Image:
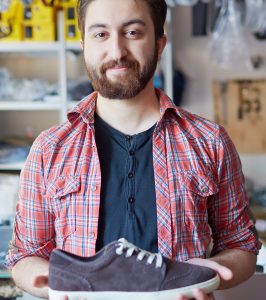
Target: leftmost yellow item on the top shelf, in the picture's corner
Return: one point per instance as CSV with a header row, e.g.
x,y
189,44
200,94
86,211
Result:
x,y
11,22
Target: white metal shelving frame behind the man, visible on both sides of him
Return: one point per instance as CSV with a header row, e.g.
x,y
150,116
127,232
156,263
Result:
x,y
60,48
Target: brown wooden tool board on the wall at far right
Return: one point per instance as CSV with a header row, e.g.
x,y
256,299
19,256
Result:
x,y
240,106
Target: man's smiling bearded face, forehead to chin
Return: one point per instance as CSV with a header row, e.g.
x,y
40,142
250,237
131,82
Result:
x,y
119,45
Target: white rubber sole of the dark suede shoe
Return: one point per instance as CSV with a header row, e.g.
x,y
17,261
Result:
x,y
207,286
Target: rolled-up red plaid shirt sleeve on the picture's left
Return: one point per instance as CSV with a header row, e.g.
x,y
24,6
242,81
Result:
x,y
33,233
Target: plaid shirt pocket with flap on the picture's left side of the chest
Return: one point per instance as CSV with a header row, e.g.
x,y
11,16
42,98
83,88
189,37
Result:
x,y
62,193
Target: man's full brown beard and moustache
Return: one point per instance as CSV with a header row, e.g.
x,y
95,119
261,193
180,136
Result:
x,y
125,86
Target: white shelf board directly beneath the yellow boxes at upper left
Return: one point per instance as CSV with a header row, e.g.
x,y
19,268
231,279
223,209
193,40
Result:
x,y
29,47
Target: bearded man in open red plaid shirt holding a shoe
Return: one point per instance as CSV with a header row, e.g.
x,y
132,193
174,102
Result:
x,y
129,163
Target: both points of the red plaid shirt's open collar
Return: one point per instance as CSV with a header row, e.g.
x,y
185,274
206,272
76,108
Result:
x,y
86,108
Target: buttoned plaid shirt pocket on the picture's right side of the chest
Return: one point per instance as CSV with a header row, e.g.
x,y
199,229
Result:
x,y
197,190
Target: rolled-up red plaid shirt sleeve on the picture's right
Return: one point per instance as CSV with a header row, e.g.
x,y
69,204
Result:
x,y
229,208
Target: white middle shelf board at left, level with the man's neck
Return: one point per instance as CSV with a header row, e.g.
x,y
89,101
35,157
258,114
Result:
x,y
29,106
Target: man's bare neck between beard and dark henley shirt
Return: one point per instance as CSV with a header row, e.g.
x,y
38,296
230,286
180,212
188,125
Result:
x,y
130,116
